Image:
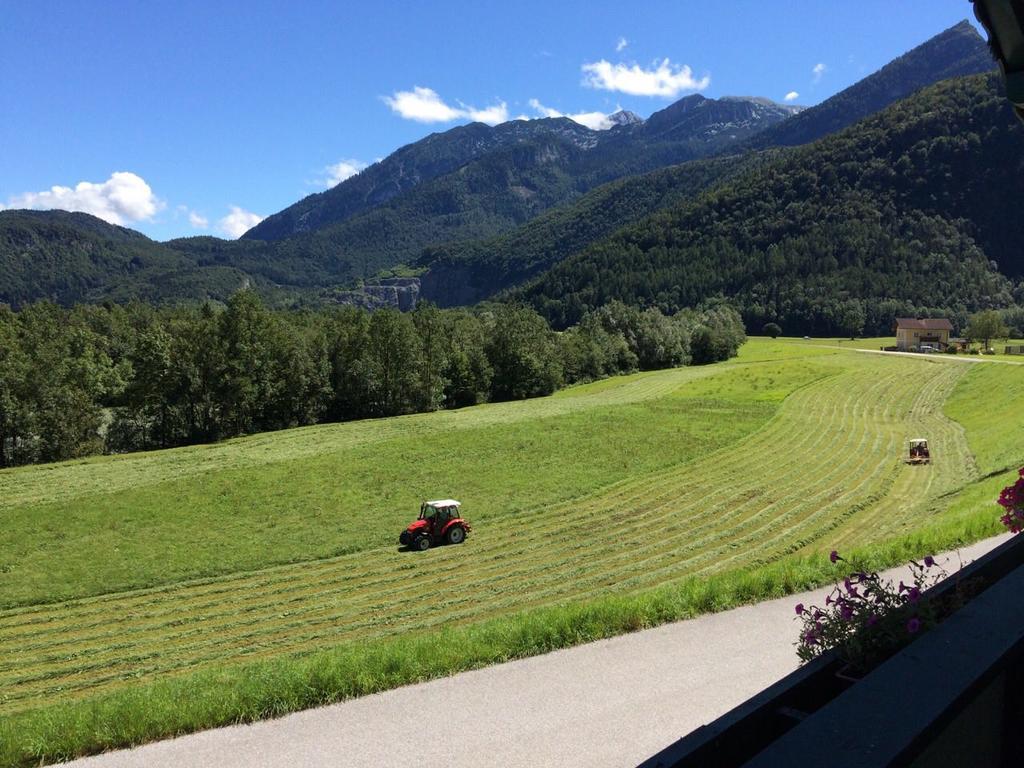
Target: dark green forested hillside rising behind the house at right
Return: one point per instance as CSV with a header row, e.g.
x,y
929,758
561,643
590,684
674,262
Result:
x,y
906,214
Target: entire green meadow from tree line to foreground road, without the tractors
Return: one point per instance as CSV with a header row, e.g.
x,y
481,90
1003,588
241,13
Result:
x,y
180,571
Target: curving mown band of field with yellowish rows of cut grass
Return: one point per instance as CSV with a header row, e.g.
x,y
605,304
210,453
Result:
x,y
833,452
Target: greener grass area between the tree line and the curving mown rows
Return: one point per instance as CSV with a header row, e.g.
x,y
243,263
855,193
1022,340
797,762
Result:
x,y
347,500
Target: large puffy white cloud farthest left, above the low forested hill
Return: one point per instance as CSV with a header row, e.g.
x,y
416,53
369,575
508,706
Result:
x,y
122,199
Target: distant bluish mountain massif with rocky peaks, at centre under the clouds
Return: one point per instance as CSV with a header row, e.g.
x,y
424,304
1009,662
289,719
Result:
x,y
477,182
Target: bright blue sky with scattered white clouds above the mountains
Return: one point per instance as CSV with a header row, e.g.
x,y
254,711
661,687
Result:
x,y
192,118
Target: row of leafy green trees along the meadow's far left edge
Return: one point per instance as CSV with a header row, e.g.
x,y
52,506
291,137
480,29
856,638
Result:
x,y
116,378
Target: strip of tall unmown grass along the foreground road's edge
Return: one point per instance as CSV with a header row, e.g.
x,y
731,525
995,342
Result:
x,y
244,694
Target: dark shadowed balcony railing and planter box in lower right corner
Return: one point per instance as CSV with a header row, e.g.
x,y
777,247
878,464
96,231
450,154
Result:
x,y
953,698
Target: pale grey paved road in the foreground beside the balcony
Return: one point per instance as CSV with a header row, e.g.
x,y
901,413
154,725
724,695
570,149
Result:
x,y
612,704
